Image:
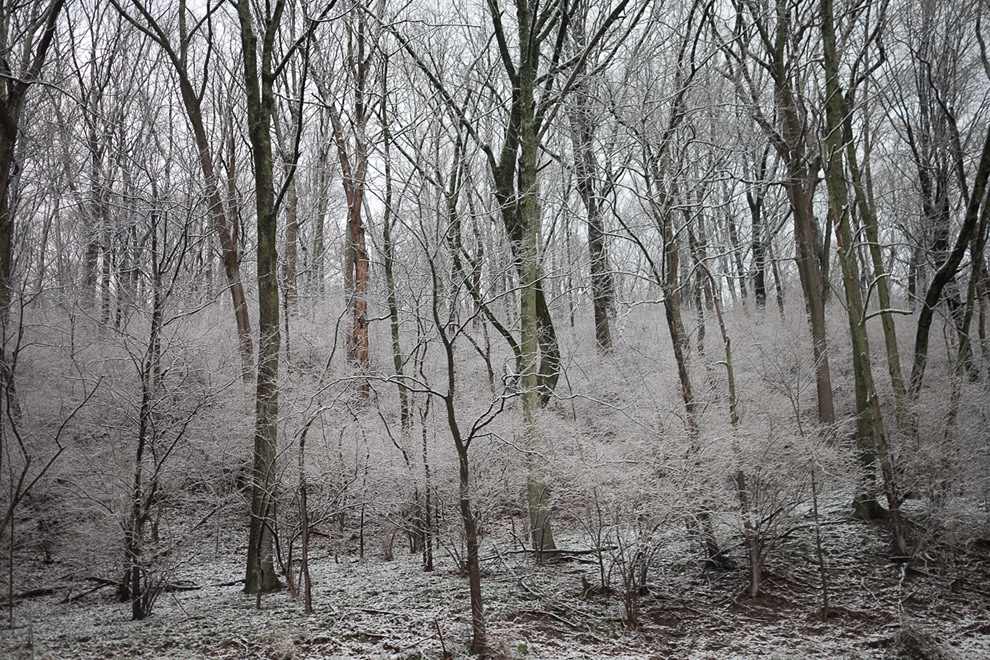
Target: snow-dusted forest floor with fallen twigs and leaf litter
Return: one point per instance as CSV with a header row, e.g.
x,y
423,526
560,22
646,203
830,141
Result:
x,y
371,608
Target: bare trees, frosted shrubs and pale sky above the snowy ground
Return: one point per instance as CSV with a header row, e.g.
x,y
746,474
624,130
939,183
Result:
x,y
632,284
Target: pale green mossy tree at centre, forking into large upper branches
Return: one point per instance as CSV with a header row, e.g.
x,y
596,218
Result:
x,y
540,77
